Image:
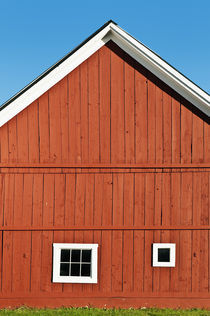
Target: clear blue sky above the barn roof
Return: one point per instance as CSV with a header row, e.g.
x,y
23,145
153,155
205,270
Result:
x,y
34,34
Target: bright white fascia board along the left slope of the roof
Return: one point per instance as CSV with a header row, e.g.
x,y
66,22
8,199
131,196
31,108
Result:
x,y
54,76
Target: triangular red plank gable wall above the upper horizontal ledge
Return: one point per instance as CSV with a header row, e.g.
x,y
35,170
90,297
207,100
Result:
x,y
108,110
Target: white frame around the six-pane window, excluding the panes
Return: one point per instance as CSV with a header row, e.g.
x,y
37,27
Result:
x,y
74,279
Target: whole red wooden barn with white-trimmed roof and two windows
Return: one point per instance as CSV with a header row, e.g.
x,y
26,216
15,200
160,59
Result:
x,y
104,184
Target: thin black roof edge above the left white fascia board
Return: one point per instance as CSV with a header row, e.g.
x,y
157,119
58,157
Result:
x,y
31,84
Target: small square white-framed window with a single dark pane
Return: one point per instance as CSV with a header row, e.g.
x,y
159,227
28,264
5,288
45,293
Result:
x,y
163,255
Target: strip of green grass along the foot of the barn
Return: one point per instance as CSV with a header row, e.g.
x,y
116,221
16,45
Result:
x,y
95,312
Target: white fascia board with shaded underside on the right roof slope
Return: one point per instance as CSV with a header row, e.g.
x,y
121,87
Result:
x,y
161,69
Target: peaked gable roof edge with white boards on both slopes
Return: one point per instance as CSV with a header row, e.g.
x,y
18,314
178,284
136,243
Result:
x,y
141,53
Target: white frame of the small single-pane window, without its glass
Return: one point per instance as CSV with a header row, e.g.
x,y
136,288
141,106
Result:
x,y
155,262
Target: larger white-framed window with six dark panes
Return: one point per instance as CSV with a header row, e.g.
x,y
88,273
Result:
x,y
75,263
